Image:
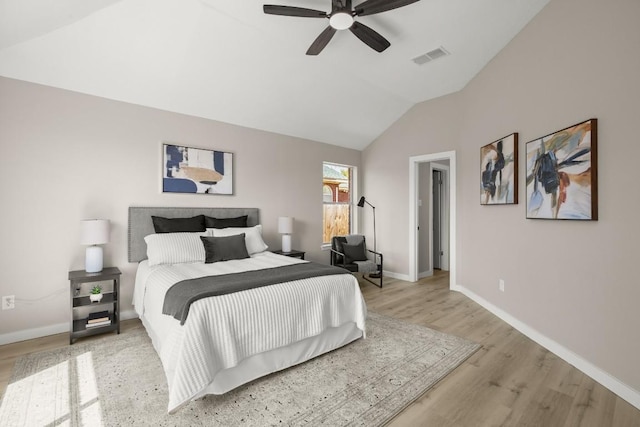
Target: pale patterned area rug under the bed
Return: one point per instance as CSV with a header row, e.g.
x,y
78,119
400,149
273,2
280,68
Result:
x,y
118,380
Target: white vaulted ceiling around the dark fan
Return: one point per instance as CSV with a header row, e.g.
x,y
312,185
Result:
x,y
226,60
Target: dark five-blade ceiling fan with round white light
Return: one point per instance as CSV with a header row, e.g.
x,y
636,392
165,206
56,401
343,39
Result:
x,y
341,18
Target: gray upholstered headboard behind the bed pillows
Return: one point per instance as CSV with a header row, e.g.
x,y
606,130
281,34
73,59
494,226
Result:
x,y
140,224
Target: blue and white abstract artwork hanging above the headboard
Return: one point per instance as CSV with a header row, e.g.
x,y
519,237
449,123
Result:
x,y
196,170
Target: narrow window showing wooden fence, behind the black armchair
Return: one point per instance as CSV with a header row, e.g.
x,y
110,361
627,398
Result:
x,y
336,197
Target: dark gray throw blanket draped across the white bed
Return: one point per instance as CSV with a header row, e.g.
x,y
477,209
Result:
x,y
181,295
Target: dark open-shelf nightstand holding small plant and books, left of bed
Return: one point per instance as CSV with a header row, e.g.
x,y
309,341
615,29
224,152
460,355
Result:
x,y
81,303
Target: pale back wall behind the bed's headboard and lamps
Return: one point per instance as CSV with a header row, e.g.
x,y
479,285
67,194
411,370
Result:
x,y
69,156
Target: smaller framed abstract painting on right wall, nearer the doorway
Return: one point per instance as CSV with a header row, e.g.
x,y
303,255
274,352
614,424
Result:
x,y
499,172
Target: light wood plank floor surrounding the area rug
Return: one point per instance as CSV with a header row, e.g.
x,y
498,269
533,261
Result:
x,y
510,381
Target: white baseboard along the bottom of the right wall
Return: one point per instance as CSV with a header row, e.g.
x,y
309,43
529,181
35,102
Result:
x,y
609,381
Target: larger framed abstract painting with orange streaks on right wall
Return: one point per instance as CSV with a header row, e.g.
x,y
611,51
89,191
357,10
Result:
x,y
562,172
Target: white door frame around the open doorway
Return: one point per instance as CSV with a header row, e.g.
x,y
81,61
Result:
x,y
414,176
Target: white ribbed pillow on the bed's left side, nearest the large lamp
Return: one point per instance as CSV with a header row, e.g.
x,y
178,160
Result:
x,y
174,248
